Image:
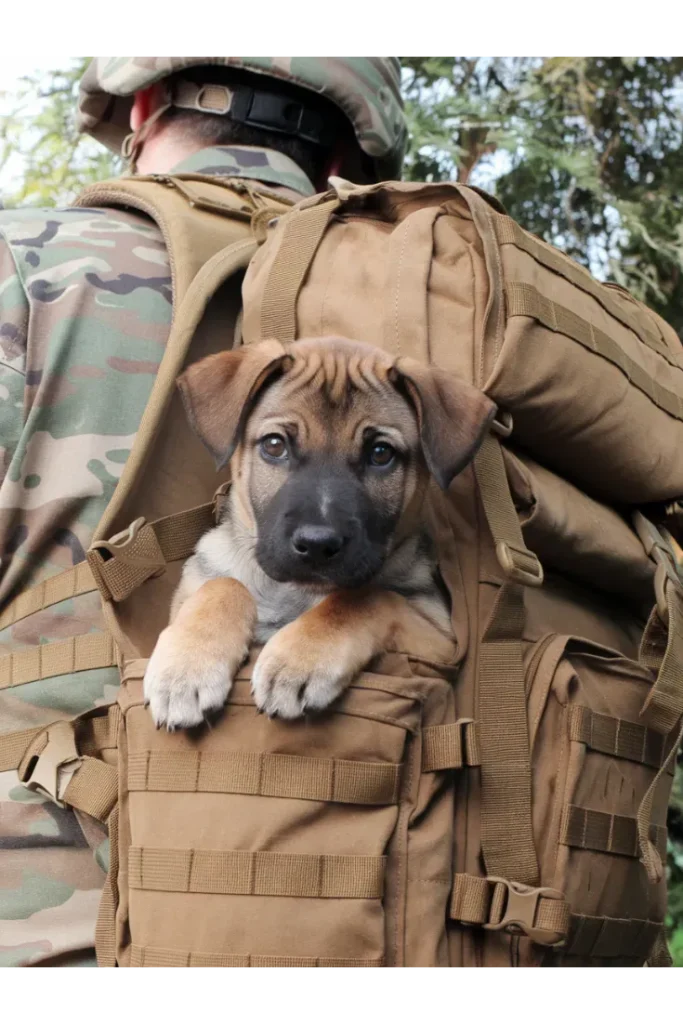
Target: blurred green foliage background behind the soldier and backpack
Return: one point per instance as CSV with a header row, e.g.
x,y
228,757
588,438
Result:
x,y
583,151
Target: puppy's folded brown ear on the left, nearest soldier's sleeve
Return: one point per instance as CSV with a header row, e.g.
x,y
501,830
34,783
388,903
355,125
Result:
x,y
219,394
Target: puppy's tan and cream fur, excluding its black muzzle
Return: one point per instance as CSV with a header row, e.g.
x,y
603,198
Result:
x,y
328,394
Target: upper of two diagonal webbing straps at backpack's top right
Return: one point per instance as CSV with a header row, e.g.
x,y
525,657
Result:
x,y
509,233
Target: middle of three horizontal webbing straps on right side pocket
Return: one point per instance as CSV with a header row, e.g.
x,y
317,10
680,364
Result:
x,y
589,830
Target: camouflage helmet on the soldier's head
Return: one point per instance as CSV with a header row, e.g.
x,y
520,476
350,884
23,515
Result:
x,y
366,90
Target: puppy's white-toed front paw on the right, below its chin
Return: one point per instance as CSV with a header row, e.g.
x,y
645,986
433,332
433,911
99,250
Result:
x,y
296,673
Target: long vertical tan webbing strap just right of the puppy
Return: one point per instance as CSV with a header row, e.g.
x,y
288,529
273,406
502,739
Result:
x,y
507,835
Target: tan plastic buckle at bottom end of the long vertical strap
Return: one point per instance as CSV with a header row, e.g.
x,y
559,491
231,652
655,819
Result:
x,y
539,914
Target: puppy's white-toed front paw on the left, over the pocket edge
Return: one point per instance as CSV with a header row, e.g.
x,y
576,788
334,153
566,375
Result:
x,y
186,684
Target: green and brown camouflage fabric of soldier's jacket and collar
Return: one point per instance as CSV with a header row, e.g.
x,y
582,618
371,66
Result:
x,y
86,311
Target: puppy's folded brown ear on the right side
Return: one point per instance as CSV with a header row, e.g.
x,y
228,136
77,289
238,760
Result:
x,y
453,417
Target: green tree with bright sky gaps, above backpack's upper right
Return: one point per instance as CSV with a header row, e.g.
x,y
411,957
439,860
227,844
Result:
x,y
583,151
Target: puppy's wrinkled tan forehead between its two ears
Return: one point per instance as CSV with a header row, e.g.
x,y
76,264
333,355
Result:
x,y
337,390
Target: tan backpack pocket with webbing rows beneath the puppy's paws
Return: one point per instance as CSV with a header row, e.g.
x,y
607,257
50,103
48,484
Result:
x,y
255,850
